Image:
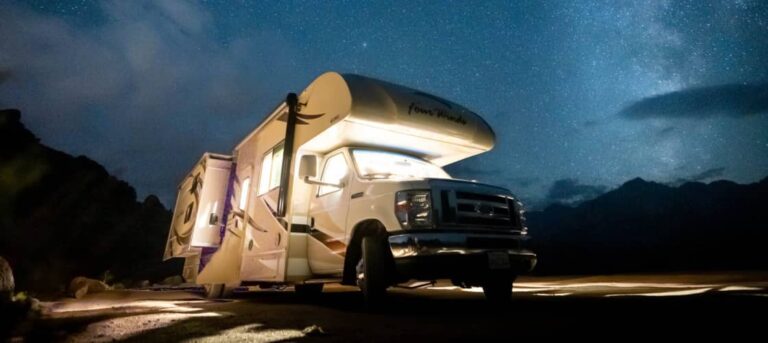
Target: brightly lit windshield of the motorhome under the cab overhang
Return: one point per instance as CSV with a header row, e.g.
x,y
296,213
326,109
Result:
x,y
374,164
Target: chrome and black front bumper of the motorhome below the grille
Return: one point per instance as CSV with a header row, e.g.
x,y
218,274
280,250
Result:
x,y
458,255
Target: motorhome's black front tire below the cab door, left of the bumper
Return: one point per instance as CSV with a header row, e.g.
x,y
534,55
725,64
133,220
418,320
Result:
x,y
373,270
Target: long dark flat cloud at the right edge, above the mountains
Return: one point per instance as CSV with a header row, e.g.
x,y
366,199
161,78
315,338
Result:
x,y
733,100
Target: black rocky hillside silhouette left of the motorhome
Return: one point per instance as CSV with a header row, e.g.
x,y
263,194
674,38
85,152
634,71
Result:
x,y
62,216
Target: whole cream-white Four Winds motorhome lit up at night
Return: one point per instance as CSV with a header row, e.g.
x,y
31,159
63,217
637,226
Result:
x,y
344,183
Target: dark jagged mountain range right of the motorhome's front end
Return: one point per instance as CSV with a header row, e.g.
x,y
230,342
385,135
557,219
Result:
x,y
648,226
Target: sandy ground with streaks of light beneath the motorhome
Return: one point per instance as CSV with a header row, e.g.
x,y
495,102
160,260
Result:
x,y
615,307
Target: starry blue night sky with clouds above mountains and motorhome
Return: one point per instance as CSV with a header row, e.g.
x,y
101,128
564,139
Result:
x,y
582,96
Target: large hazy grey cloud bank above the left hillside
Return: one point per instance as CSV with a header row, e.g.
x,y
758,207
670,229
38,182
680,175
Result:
x,y
144,92
